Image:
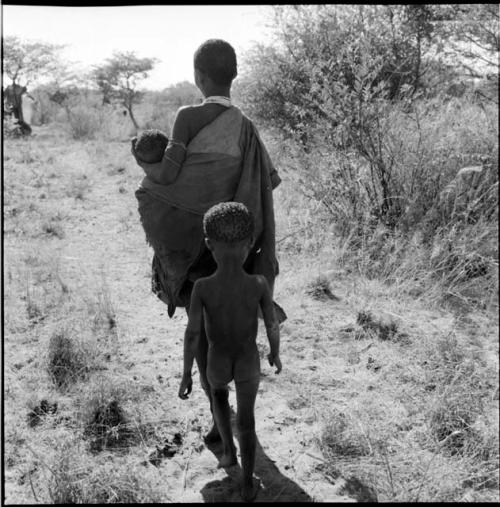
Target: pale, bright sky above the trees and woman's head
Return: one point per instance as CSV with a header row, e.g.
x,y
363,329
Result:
x,y
170,33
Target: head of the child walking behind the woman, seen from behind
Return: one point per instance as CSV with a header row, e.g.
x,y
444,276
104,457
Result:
x,y
229,227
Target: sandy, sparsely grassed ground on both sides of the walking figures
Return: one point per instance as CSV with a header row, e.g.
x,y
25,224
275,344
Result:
x,y
382,396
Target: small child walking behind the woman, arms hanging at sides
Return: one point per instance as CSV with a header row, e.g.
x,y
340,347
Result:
x,y
226,305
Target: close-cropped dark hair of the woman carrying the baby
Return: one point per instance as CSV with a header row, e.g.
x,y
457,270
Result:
x,y
217,59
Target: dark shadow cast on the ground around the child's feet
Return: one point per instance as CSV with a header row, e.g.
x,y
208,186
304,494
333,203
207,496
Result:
x,y
274,486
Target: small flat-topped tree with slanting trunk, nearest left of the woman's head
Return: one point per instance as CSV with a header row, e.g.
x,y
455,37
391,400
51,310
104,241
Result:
x,y
119,77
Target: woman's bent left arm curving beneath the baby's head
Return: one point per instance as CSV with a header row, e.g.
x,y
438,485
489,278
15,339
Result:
x,y
167,170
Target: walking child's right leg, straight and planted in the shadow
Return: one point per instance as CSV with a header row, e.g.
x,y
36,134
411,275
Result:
x,y
246,392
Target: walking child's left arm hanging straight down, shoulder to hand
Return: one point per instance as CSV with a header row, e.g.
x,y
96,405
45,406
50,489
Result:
x,y
191,337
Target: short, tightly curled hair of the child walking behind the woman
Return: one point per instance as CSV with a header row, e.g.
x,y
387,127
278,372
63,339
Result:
x,y
228,222
